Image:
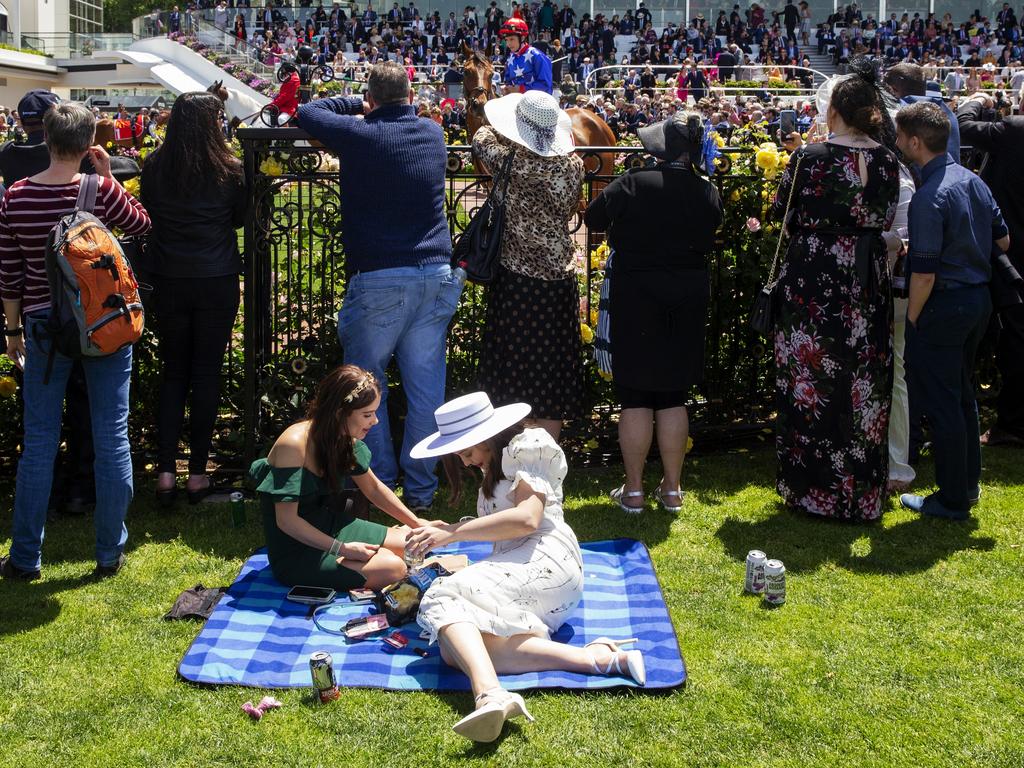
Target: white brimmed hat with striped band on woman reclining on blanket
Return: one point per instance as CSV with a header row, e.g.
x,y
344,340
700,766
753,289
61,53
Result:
x,y
465,422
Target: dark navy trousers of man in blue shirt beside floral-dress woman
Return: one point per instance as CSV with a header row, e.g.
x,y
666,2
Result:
x,y
941,355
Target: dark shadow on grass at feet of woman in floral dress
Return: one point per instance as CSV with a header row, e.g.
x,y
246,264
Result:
x,y
806,543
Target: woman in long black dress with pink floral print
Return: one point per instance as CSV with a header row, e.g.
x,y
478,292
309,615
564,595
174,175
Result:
x,y
833,332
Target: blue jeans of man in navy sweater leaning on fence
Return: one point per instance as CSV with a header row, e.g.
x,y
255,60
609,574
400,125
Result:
x,y
403,313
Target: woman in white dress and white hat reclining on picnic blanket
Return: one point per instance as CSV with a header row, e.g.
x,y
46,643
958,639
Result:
x,y
497,616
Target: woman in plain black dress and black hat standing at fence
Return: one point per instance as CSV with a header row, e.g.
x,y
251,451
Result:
x,y
659,298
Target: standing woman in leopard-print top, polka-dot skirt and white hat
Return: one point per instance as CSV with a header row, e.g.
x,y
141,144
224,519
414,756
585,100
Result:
x,y
532,345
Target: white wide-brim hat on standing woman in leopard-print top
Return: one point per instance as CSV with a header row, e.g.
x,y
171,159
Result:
x,y
533,120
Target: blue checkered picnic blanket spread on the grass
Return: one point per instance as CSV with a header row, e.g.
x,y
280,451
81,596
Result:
x,y
257,637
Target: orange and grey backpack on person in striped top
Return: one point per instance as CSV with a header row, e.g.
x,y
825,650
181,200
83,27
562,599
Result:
x,y
96,309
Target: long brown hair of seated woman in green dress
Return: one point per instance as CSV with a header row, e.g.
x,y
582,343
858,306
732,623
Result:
x,y
345,391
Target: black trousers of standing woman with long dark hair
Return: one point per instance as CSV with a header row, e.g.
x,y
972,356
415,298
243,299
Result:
x,y
195,318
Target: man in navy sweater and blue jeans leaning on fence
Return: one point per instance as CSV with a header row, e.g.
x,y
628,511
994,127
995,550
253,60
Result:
x,y
402,292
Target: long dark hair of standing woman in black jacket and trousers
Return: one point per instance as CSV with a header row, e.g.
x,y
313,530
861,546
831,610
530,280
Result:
x,y
195,154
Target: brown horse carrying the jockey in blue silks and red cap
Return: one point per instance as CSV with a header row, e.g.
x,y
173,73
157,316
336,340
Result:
x,y
588,129
